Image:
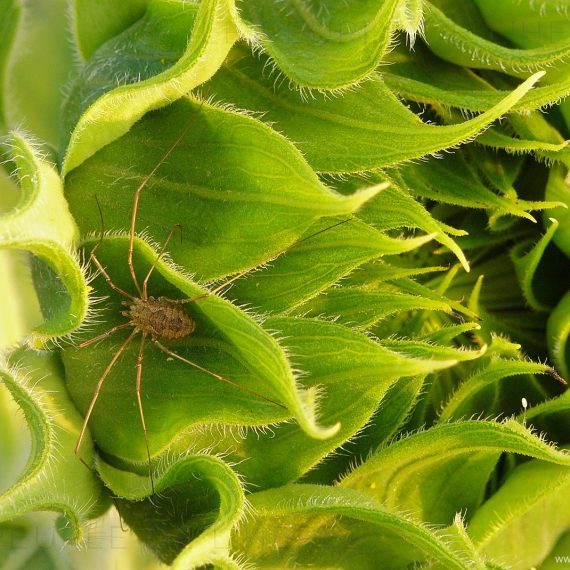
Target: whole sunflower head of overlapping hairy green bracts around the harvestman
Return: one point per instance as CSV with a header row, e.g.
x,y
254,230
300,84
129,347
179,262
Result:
x,y
395,324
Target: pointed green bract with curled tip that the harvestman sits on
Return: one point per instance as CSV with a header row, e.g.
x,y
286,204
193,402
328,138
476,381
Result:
x,y
228,342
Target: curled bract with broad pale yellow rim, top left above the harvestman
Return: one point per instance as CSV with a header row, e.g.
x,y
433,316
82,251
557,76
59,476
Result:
x,y
135,84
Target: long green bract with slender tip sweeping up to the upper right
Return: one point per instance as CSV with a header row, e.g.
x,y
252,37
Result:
x,y
361,134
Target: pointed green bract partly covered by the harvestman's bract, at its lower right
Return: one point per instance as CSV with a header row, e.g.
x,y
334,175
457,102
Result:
x,y
352,373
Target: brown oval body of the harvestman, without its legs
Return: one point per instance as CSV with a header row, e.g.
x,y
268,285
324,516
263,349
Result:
x,y
161,318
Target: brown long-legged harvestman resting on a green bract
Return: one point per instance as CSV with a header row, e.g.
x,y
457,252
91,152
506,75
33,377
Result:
x,y
159,318
